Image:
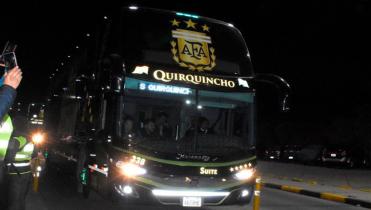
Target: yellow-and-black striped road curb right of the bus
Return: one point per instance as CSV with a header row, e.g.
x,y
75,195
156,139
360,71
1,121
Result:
x,y
321,195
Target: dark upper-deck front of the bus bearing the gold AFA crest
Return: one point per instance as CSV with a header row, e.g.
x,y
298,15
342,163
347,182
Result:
x,y
175,41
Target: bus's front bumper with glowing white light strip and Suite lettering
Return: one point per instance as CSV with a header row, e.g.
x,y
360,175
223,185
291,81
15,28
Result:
x,y
175,184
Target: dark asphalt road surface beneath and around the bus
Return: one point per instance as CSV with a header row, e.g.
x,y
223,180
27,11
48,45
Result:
x,y
57,192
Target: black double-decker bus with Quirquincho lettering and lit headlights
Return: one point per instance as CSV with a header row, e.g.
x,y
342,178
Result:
x,y
160,106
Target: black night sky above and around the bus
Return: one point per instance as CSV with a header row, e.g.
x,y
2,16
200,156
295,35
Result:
x,y
321,47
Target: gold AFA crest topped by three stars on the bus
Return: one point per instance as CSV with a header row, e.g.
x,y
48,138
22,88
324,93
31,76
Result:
x,y
190,48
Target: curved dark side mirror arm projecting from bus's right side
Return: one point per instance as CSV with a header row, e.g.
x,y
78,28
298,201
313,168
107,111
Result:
x,y
281,84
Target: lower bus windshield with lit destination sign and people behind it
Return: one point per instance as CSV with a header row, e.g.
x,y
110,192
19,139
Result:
x,y
183,120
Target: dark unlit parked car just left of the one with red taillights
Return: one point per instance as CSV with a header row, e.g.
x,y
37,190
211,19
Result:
x,y
310,154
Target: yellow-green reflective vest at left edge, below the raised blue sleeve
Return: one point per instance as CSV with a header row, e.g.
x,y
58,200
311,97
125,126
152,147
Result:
x,y
6,130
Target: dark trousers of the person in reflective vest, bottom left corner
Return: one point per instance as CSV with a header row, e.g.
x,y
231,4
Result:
x,y
14,190
